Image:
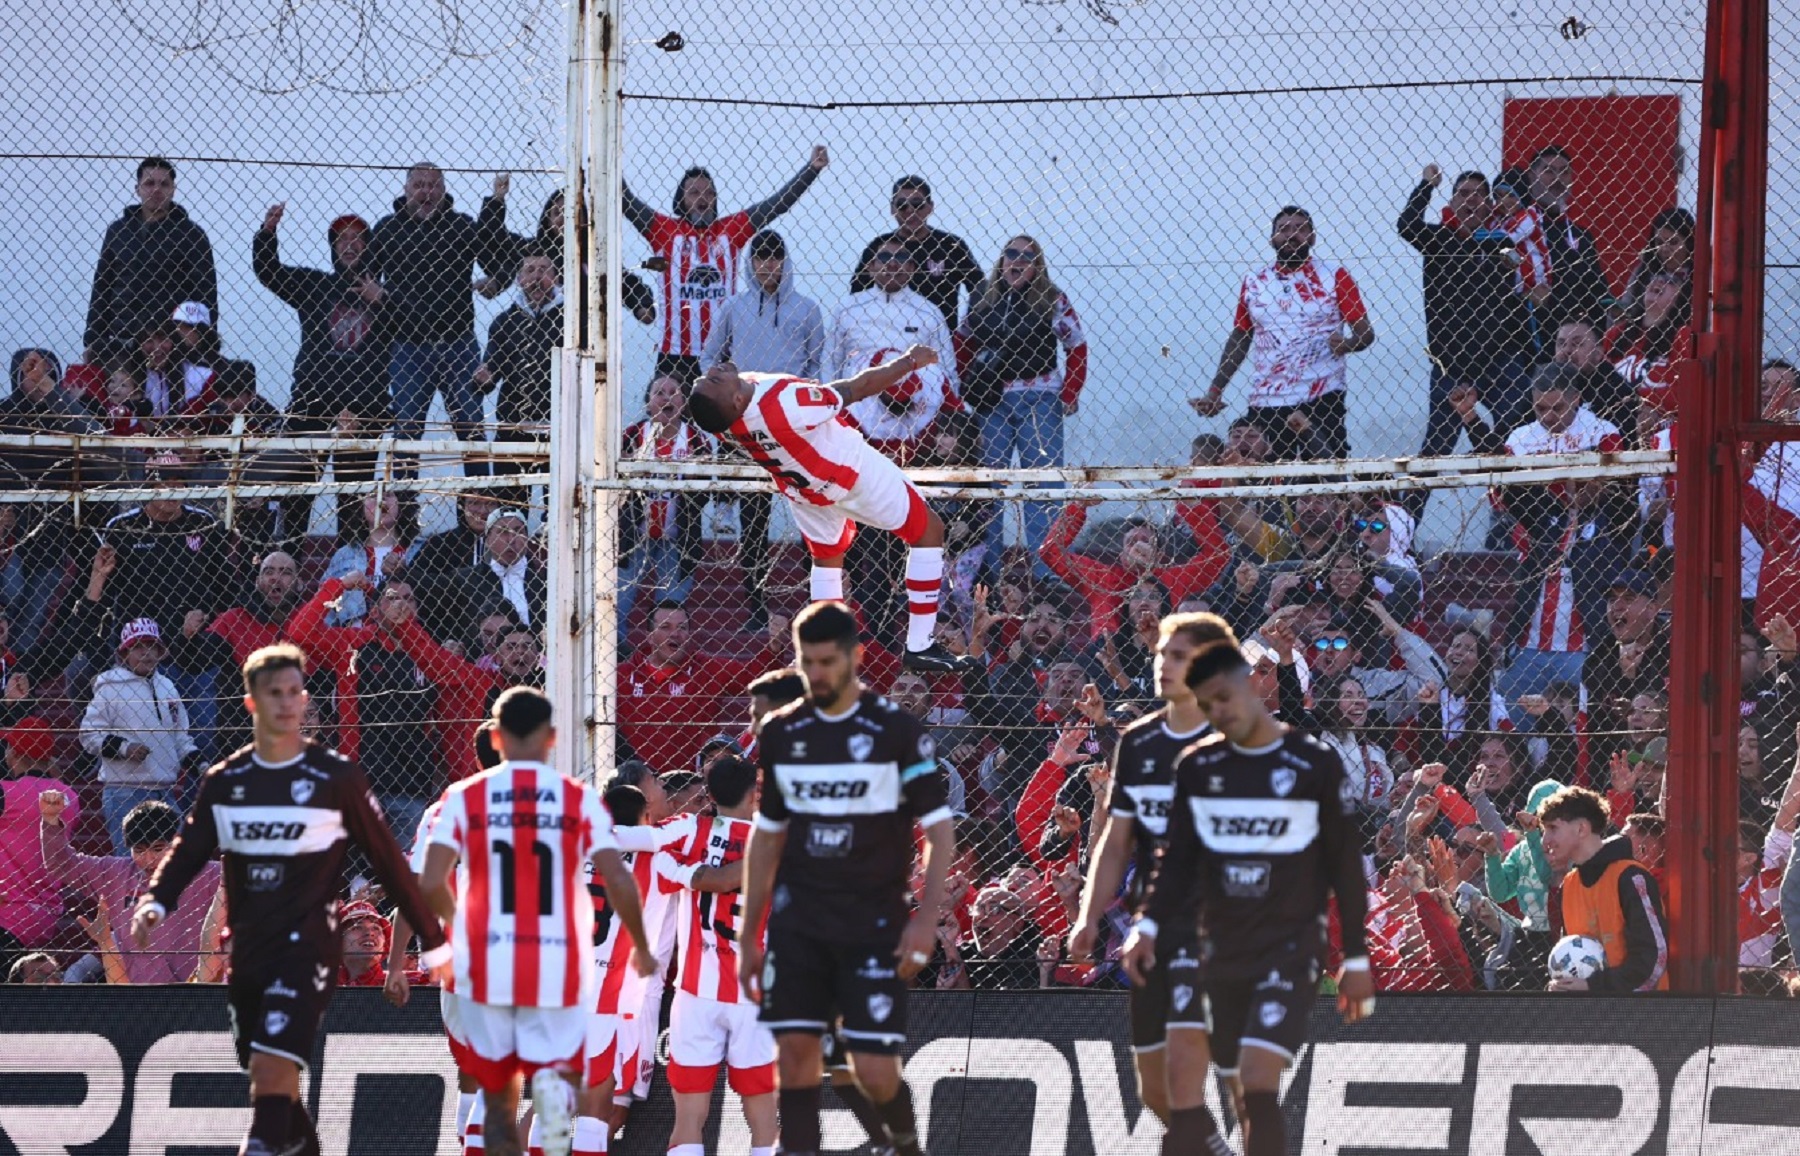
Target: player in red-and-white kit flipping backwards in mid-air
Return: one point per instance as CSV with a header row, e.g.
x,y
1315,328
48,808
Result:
x,y
834,480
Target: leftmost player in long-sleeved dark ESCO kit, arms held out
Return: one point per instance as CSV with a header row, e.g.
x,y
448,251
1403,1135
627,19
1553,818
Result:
x,y
283,813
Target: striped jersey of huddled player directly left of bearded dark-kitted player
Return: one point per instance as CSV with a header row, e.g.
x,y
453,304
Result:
x,y
708,923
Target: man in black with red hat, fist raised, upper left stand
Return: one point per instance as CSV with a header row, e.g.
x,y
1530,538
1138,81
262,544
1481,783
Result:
x,y
341,370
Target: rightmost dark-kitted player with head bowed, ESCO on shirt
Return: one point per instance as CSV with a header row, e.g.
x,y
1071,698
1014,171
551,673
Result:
x,y
1261,835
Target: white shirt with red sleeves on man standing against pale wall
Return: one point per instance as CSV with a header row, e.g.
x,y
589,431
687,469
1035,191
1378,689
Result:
x,y
1291,318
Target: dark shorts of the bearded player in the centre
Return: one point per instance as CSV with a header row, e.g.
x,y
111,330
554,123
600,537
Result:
x,y
811,984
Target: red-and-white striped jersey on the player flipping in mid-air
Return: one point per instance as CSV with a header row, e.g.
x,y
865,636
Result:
x,y
800,433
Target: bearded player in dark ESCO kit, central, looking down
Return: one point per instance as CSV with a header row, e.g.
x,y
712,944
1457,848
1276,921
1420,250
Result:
x,y
847,775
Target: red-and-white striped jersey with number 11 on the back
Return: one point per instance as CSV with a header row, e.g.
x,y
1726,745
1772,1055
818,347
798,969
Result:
x,y
525,928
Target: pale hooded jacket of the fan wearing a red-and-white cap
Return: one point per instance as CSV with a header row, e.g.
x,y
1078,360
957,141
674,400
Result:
x,y
132,710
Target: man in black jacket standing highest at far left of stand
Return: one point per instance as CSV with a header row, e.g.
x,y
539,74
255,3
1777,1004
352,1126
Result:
x,y
152,260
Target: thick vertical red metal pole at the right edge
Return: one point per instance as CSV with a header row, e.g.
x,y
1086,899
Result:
x,y
1720,401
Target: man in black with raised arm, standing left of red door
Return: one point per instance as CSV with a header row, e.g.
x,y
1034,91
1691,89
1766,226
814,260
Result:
x,y
1475,321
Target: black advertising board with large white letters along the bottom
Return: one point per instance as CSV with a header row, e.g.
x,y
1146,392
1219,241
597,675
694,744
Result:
x,y
150,1072
